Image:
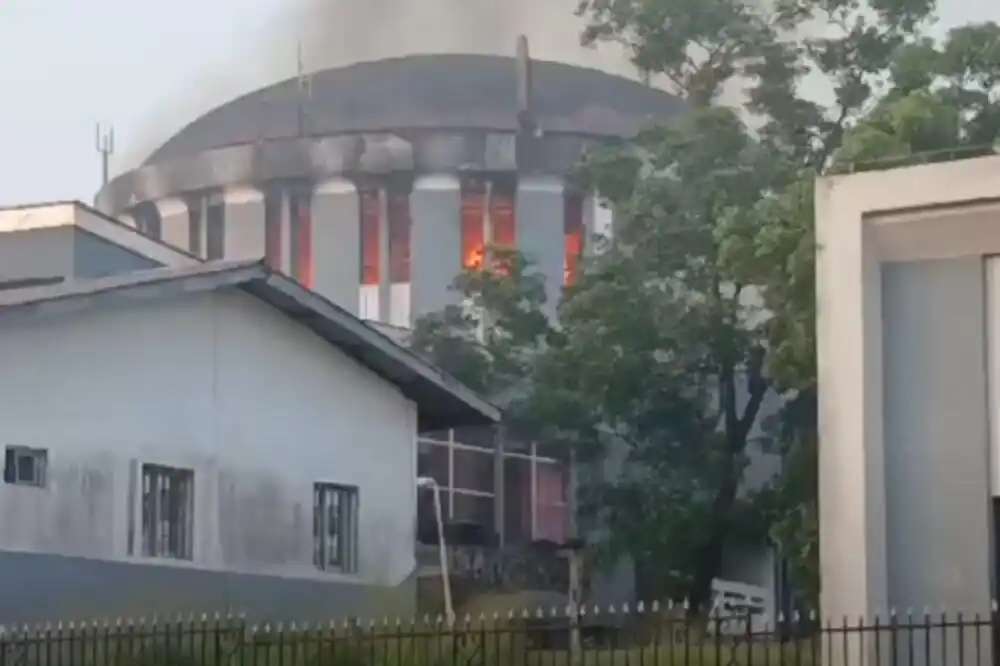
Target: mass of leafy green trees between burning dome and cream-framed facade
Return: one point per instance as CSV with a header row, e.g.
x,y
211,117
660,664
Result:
x,y
702,305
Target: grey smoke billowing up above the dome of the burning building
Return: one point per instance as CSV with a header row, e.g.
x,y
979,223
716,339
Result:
x,y
340,32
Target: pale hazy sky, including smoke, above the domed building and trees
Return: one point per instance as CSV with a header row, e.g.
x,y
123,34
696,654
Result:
x,y
148,68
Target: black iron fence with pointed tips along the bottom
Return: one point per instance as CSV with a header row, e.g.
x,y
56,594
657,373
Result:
x,y
637,637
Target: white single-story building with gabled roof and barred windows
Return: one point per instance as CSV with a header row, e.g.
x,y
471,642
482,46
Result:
x,y
206,437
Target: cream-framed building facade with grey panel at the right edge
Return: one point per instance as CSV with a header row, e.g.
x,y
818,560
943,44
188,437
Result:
x,y
908,288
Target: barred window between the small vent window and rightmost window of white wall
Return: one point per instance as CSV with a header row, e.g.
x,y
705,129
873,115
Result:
x,y
167,512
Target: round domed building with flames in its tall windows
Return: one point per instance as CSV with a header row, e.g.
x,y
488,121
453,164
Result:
x,y
375,183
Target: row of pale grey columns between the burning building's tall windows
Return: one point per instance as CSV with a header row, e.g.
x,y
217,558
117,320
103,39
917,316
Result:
x,y
335,238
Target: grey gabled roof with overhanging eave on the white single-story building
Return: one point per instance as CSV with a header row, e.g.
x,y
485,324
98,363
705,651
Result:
x,y
442,401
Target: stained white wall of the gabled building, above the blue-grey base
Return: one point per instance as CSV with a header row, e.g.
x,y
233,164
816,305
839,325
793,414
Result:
x,y
258,406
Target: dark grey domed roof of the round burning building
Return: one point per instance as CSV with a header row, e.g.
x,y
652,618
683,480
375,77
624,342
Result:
x,y
429,92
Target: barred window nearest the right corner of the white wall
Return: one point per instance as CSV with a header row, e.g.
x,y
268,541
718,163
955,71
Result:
x,y
335,527
